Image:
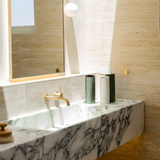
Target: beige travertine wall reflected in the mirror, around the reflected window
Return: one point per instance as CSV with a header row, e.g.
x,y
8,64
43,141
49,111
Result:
x,y
42,52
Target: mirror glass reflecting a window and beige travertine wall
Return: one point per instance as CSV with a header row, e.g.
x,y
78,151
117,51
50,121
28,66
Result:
x,y
37,38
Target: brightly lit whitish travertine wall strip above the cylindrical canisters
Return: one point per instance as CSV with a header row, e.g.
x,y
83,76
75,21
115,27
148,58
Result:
x,y
100,15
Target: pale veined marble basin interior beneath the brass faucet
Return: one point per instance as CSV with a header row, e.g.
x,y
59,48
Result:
x,y
65,116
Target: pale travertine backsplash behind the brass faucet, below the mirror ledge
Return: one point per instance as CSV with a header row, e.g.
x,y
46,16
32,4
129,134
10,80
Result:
x,y
27,98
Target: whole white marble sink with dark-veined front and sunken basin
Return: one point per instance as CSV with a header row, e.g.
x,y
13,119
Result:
x,y
77,132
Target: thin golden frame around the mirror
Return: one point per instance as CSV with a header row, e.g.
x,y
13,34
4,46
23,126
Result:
x,y
15,80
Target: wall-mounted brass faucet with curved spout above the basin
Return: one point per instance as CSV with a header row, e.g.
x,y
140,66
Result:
x,y
57,96
